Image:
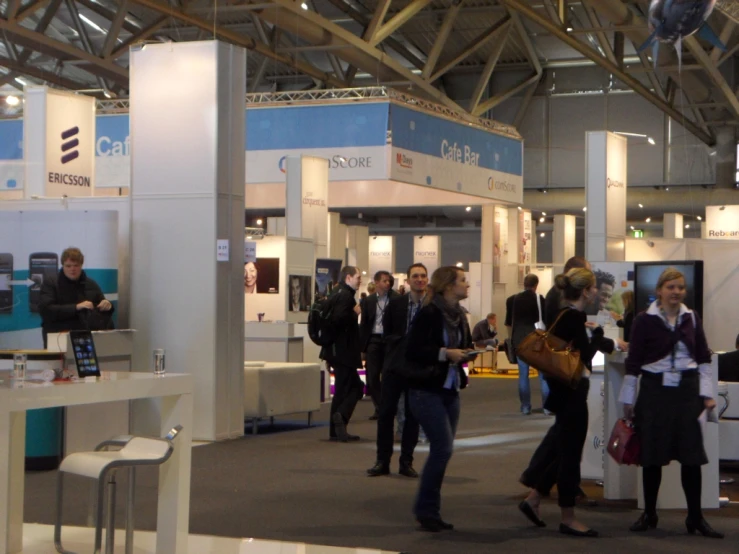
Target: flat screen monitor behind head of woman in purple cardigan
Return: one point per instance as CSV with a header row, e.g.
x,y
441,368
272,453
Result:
x,y
646,275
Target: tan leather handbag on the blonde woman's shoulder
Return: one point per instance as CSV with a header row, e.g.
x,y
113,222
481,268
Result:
x,y
551,355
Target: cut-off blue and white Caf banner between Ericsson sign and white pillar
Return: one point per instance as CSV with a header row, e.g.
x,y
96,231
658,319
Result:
x,y
112,151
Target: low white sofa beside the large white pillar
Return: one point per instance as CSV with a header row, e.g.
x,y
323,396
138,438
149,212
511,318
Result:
x,y
275,388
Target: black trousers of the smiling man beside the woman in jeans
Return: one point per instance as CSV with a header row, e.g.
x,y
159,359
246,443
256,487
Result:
x,y
393,386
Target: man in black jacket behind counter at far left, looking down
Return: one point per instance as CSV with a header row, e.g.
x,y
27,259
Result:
x,y
72,301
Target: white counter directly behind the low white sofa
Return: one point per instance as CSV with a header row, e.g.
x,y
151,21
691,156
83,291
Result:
x,y
272,342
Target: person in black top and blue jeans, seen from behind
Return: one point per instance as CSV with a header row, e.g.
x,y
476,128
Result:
x,y
527,307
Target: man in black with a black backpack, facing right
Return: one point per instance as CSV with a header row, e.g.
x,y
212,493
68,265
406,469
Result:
x,y
344,354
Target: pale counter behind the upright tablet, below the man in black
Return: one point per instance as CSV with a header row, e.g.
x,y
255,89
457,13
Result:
x,y
85,426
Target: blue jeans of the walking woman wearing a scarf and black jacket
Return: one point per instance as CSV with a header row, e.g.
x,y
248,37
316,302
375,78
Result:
x,y
438,415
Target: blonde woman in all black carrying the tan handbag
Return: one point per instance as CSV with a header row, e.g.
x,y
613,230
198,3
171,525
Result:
x,y
564,443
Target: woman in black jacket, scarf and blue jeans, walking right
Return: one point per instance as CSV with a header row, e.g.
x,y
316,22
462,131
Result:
x,y
438,344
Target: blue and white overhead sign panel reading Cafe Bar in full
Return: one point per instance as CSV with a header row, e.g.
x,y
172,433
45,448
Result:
x,y
432,151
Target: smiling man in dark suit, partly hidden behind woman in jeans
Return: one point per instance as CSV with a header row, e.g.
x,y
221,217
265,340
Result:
x,y
396,322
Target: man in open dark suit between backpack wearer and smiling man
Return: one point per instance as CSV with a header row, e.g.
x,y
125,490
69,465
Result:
x,y
370,332
